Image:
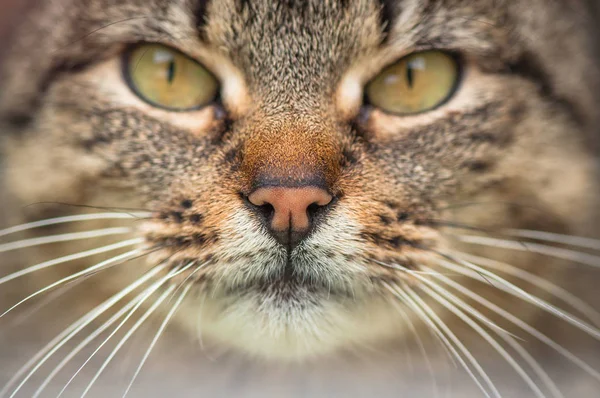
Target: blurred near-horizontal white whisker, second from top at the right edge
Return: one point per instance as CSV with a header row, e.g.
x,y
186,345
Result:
x,y
551,251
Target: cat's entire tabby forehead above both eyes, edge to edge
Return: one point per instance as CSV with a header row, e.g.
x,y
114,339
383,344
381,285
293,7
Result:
x,y
288,51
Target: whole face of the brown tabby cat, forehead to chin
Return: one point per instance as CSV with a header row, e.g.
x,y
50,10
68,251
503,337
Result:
x,y
300,185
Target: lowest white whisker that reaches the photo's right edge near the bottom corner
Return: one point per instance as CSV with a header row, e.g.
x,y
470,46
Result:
x,y
523,325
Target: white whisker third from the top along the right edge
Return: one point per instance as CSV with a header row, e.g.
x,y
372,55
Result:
x,y
558,292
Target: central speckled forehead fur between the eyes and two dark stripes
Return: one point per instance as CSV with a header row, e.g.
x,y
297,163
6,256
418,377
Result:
x,y
293,49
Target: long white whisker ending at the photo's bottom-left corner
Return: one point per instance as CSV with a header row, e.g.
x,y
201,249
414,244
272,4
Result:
x,y
55,344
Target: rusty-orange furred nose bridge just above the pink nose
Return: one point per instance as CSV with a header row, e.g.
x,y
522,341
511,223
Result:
x,y
290,152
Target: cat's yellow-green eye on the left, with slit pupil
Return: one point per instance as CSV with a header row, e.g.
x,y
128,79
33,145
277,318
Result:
x,y
167,78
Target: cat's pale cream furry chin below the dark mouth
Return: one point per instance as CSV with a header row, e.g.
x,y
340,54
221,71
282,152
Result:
x,y
269,328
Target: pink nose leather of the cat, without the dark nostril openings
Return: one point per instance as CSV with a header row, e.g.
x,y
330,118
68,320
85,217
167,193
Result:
x,y
290,205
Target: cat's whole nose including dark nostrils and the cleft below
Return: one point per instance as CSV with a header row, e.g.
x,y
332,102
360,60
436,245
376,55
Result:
x,y
289,212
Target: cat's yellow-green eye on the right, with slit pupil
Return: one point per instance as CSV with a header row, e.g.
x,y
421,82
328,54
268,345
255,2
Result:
x,y
416,83
